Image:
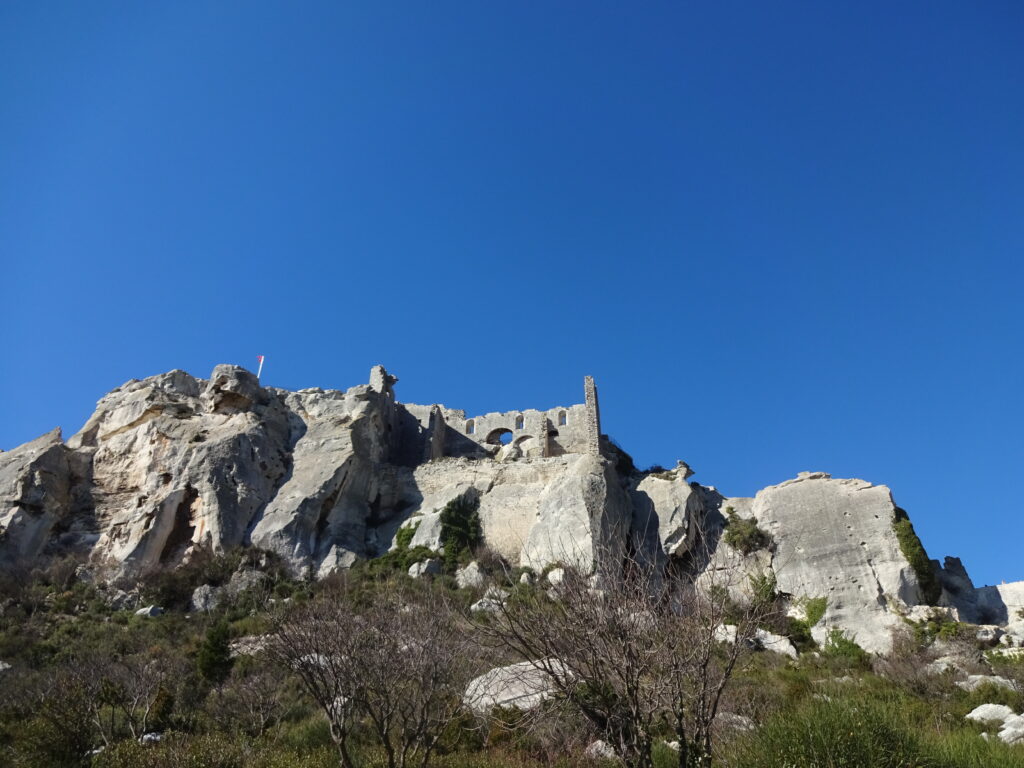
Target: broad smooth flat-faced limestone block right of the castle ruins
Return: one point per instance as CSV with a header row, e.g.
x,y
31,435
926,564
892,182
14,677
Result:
x,y
834,539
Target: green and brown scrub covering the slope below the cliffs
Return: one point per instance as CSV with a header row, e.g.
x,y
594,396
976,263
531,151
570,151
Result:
x,y
258,682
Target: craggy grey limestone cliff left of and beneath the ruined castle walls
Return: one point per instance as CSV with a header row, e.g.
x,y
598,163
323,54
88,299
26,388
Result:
x,y
323,478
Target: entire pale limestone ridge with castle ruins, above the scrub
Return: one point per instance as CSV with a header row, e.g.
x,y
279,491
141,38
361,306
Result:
x,y
173,464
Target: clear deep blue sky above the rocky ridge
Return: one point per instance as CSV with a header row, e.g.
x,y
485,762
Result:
x,y
783,236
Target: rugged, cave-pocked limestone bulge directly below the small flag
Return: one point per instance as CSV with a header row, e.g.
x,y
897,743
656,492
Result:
x,y
179,462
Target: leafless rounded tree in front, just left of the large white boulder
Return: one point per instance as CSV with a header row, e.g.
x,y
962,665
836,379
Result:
x,y
401,664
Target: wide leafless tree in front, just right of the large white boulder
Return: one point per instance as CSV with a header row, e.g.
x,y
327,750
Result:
x,y
651,651
